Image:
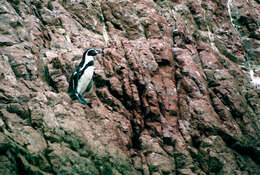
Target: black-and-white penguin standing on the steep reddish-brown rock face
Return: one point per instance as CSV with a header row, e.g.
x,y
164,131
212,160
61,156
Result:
x,y
81,78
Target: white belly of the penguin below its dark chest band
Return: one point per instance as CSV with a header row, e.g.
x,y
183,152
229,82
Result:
x,y
85,79
